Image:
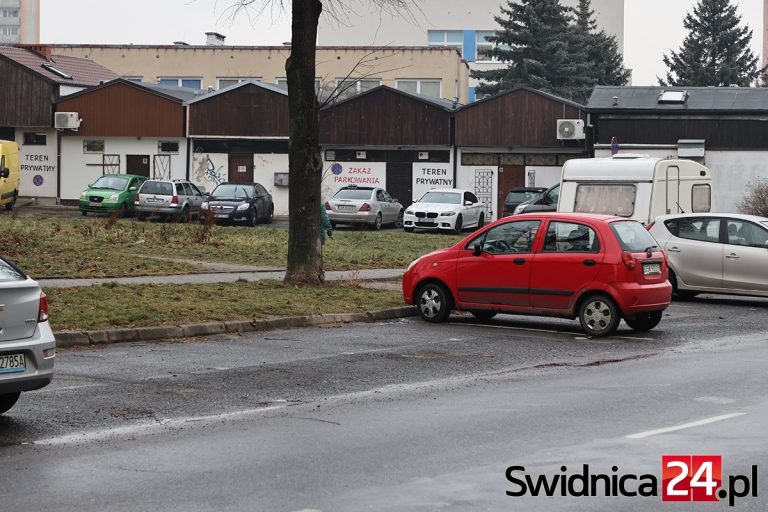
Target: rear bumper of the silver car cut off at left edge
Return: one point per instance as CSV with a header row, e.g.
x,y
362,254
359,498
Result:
x,y
39,371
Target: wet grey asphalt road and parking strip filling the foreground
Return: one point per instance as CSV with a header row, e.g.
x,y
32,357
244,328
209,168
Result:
x,y
396,416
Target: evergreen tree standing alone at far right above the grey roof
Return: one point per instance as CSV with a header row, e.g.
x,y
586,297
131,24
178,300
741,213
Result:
x,y
716,51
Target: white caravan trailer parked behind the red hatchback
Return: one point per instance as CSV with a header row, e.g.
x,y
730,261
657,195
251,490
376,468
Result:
x,y
637,187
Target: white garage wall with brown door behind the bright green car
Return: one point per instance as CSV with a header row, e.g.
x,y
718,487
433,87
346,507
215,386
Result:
x,y
79,169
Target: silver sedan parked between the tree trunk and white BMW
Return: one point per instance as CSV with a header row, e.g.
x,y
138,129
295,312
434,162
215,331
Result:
x,y
368,206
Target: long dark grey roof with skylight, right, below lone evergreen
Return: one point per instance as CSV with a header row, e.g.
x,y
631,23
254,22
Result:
x,y
698,99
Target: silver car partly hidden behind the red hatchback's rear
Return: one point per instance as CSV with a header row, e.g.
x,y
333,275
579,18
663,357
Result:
x,y
715,252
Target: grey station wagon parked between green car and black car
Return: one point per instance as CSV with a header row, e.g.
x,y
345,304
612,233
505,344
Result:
x,y
170,199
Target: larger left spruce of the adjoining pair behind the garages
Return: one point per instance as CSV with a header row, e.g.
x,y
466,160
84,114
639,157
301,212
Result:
x,y
534,41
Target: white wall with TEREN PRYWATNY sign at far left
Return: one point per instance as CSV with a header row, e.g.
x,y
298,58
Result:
x,y
38,165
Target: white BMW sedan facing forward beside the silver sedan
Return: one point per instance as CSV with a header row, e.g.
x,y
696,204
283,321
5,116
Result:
x,y
449,209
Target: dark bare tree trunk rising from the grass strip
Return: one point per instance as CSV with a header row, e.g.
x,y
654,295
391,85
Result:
x,y
305,265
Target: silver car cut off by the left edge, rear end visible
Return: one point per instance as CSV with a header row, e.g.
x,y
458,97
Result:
x,y
27,345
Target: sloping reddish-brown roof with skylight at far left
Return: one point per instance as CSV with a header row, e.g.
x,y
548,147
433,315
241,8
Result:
x,y
82,71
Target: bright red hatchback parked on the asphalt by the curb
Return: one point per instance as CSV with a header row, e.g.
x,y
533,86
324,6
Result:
x,y
598,268
